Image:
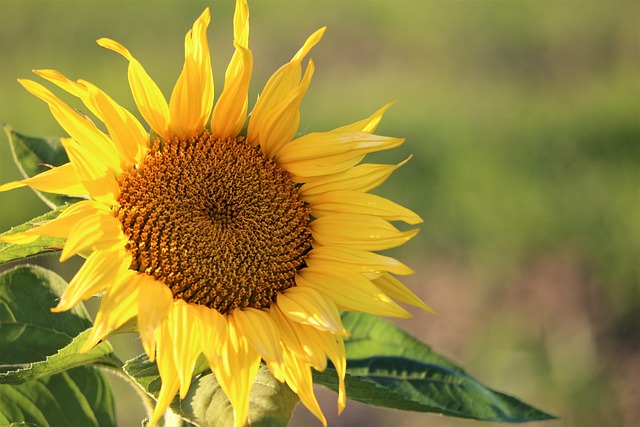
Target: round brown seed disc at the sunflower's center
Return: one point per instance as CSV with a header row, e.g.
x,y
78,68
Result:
x,y
216,221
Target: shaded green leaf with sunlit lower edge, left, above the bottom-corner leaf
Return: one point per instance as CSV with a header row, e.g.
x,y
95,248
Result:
x,y
36,342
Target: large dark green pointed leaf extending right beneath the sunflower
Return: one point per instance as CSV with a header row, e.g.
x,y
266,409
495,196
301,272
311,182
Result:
x,y
387,367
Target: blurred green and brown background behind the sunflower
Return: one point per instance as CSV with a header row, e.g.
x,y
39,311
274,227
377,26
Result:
x,y
523,121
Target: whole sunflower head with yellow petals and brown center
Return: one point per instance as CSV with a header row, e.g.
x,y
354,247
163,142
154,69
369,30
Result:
x,y
240,243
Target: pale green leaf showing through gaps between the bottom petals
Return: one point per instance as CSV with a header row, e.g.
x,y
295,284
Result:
x,y
270,402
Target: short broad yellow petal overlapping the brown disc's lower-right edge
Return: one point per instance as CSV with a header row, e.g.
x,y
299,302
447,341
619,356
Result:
x,y
306,306
